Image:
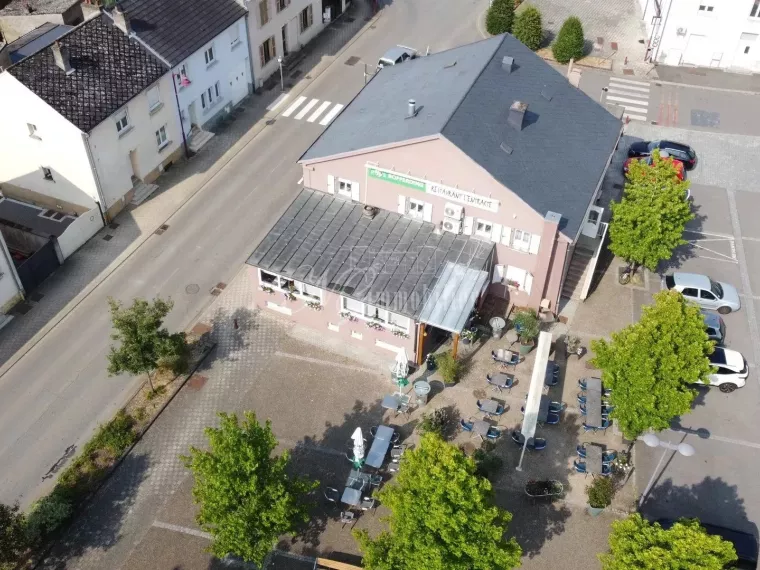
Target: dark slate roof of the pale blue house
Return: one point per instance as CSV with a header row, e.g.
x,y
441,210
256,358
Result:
x,y
175,29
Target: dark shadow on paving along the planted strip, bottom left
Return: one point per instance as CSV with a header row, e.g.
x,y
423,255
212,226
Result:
x,y
98,525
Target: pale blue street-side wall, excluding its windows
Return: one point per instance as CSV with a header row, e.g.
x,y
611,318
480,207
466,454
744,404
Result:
x,y
231,69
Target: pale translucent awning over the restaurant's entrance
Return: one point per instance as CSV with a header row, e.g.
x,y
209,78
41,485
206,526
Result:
x,y
453,297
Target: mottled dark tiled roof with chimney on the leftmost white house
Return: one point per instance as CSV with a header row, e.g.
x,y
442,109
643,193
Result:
x,y
109,70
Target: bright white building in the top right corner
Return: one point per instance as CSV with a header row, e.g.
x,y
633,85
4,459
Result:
x,y
704,33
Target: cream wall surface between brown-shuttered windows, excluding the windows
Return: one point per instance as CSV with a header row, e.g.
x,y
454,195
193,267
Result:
x,y
290,16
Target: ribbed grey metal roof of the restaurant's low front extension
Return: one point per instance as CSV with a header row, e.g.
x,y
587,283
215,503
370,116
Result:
x,y
388,261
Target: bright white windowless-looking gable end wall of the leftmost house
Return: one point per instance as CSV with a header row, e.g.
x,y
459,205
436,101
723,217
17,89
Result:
x,y
58,146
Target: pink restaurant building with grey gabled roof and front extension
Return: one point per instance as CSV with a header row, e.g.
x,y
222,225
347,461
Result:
x,y
469,172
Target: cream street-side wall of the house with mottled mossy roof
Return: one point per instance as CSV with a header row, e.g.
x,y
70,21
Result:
x,y
111,149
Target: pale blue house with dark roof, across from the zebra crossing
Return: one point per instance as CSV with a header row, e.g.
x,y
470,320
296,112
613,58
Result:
x,y
206,45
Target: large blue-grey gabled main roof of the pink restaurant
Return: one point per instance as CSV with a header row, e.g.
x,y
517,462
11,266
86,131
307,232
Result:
x,y
464,93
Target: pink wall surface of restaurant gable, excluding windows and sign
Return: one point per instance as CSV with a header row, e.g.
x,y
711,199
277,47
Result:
x,y
438,161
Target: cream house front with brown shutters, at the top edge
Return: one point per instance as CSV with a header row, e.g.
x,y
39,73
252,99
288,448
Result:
x,y
278,29
